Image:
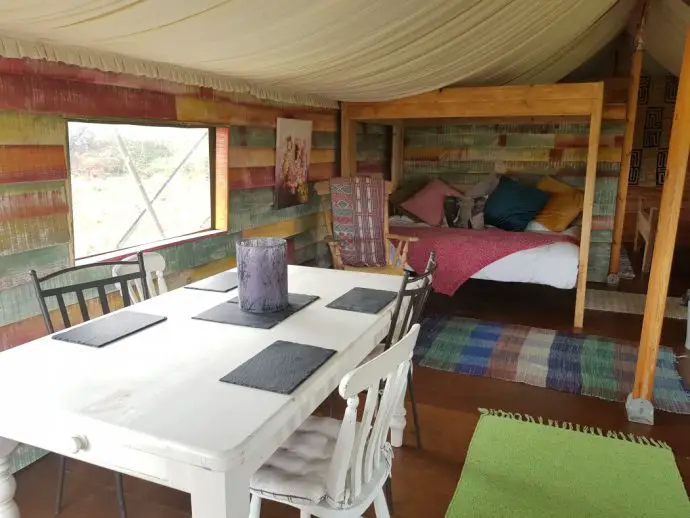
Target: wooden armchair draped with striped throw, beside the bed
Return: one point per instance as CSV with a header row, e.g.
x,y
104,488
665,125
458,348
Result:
x,y
356,211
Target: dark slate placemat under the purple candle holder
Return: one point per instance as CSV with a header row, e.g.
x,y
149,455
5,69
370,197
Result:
x,y
230,313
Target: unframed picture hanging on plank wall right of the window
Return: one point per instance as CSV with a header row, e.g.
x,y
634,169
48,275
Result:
x,y
293,152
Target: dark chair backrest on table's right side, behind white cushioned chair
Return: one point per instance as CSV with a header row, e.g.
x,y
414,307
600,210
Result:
x,y
409,305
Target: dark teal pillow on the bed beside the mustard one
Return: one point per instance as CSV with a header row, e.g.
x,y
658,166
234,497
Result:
x,y
512,205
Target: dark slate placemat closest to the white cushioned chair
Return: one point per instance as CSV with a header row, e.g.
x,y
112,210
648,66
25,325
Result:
x,y
281,367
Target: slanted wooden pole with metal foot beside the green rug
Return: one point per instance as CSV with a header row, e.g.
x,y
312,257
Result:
x,y
662,258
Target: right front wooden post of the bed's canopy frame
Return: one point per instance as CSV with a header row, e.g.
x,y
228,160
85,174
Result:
x,y
588,204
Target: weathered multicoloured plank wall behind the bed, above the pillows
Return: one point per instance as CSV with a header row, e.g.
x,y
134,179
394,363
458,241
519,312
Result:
x,y
463,154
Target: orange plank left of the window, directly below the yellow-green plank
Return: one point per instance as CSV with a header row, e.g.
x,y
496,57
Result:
x,y
32,163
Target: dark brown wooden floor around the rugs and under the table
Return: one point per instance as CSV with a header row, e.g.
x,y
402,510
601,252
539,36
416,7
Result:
x,y
423,481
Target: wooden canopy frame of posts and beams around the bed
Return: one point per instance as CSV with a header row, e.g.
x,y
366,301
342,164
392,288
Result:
x,y
580,100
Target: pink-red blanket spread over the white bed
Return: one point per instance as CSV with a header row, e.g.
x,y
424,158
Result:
x,y
460,253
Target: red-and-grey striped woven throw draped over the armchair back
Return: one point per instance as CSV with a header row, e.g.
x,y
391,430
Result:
x,y
357,205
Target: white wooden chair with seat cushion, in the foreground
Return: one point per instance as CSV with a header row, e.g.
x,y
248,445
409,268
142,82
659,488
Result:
x,y
337,469
